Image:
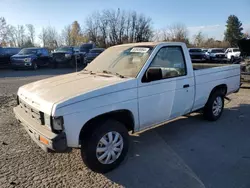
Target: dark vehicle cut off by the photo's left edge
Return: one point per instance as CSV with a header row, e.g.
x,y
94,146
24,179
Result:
x,y
5,54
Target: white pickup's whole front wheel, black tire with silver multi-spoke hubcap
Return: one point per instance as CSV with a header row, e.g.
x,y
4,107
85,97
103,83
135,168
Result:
x,y
105,147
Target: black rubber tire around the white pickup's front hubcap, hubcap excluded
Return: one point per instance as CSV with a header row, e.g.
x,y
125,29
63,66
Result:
x,y
90,142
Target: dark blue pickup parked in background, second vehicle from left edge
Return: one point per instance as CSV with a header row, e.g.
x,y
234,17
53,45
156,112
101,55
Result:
x,y
31,58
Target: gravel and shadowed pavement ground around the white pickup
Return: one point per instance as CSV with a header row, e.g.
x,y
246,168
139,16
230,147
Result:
x,y
188,152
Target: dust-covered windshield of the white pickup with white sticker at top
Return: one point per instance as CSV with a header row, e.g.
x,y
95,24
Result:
x,y
126,60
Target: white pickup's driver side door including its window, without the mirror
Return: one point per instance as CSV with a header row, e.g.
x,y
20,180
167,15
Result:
x,y
169,97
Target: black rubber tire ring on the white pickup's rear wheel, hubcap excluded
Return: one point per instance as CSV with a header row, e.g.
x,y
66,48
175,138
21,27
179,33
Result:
x,y
208,109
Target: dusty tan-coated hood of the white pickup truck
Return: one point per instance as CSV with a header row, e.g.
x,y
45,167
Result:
x,y
45,93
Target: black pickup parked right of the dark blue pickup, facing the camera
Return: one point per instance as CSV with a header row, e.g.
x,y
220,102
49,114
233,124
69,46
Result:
x,y
65,56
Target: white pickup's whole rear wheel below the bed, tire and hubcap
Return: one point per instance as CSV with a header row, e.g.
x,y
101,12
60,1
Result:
x,y
214,107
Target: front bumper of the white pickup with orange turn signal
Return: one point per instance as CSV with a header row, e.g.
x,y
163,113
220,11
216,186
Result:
x,y
54,142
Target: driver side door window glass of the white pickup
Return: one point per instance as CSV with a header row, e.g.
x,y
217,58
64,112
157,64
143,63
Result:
x,y
171,61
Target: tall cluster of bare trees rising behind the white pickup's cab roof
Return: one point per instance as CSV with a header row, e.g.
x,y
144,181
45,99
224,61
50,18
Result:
x,y
111,27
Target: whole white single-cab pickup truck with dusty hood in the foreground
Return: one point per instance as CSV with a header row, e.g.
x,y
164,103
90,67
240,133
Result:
x,y
129,87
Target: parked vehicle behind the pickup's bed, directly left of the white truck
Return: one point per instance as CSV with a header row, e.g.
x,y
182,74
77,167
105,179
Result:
x,y
216,55
